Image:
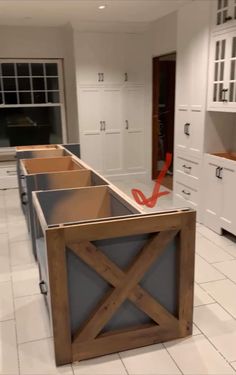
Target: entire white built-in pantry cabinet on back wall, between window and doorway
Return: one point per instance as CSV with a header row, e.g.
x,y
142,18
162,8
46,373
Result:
x,y
111,101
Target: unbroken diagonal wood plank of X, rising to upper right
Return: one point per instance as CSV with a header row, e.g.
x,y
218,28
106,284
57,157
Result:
x,y
141,264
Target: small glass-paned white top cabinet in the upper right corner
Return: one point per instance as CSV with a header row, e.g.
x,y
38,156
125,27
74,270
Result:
x,y
223,14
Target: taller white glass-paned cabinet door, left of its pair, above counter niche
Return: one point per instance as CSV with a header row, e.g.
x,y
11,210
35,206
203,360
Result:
x,y
218,72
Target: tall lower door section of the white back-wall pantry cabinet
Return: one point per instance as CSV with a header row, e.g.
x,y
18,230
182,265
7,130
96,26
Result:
x,y
111,121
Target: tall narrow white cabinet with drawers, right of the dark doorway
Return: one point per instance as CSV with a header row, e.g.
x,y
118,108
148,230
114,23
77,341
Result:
x,y
191,91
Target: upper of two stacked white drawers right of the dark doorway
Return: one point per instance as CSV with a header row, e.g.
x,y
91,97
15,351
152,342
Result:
x,y
186,166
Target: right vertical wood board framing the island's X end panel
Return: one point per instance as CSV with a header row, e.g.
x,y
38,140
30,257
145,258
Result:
x,y
186,272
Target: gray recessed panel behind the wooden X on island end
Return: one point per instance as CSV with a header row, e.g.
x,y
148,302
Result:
x,y
87,288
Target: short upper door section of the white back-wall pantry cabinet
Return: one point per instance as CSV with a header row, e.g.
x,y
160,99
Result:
x,y
109,59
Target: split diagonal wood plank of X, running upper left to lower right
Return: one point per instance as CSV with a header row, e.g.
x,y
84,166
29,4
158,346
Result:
x,y
113,274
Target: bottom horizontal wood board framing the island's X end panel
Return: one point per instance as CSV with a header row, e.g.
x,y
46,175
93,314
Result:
x,y
122,340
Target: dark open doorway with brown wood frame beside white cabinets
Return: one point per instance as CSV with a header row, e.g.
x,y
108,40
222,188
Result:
x,y
163,109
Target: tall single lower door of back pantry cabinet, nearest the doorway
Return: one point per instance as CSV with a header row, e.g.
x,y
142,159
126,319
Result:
x,y
133,124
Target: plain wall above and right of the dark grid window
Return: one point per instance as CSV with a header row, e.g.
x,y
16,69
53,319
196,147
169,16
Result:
x,y
37,42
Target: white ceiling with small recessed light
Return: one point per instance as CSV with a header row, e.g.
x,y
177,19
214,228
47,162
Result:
x,y
84,12
